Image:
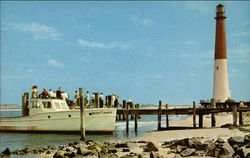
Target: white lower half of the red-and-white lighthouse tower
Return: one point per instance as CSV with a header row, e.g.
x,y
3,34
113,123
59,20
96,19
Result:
x,y
221,91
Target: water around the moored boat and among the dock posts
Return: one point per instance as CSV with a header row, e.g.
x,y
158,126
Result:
x,y
22,140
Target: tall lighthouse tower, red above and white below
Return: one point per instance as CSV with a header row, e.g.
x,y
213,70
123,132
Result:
x,y
220,88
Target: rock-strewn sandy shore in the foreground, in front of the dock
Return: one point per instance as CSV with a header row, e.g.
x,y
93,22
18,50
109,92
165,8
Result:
x,y
160,144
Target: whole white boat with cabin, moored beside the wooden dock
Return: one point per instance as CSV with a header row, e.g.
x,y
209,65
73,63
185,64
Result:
x,y
54,115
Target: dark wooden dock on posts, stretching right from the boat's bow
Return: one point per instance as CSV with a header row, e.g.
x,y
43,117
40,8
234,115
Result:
x,y
194,110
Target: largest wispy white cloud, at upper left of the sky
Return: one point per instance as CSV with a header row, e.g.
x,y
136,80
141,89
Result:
x,y
38,31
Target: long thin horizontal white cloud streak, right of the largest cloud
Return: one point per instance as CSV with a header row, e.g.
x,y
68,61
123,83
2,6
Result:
x,y
85,43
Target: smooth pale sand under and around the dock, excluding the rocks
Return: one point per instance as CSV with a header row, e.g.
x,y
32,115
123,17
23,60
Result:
x,y
207,132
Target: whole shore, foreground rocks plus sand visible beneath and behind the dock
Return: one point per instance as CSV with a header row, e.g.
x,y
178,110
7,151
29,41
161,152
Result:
x,y
151,144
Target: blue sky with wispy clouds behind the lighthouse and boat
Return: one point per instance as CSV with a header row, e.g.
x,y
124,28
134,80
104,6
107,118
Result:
x,y
144,50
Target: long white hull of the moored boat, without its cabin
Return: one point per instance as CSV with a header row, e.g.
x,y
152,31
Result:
x,y
96,120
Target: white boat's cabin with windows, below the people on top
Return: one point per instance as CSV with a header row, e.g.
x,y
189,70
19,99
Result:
x,y
39,105
